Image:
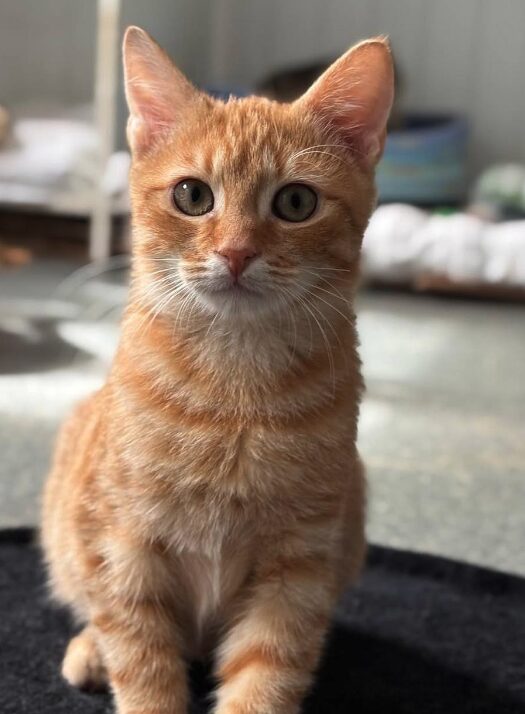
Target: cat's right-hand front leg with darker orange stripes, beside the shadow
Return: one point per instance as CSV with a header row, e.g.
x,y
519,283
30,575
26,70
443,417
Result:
x,y
266,661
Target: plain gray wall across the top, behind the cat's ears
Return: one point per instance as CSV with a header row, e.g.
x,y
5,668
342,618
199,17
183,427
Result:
x,y
463,55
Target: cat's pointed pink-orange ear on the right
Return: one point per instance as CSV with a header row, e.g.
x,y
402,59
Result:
x,y
354,96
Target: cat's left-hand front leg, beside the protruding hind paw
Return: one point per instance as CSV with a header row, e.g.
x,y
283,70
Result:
x,y
137,631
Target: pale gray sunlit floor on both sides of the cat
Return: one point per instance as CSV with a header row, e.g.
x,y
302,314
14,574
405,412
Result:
x,y
442,429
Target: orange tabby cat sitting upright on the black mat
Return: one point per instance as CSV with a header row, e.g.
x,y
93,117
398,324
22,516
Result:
x,y
209,498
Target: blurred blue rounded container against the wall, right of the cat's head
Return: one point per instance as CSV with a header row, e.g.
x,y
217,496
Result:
x,y
425,162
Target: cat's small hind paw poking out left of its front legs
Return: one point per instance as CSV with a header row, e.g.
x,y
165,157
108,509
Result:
x,y
83,666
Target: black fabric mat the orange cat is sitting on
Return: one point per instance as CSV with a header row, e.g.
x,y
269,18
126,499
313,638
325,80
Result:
x,y
420,635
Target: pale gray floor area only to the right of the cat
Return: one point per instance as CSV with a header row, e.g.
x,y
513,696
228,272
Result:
x,y
443,426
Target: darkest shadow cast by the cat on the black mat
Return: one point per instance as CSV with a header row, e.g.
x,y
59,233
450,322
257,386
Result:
x,y
364,674
